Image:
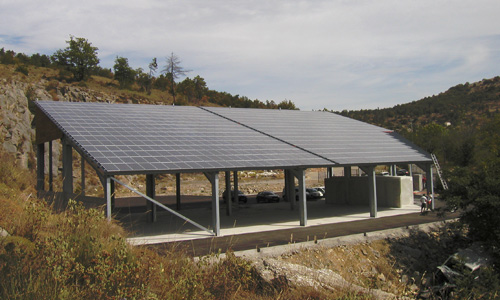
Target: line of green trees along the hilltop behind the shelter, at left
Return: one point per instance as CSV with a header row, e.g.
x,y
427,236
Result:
x,y
79,61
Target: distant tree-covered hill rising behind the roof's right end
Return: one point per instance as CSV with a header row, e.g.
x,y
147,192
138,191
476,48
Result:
x,y
468,104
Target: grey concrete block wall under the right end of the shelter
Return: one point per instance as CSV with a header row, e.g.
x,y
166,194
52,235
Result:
x,y
392,191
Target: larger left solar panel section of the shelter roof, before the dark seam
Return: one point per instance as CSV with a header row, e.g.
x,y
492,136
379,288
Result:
x,y
133,138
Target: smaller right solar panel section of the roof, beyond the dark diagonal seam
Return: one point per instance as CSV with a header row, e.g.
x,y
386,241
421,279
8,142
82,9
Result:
x,y
334,137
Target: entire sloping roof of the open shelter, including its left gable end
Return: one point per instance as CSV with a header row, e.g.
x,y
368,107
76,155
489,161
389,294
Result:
x,y
52,123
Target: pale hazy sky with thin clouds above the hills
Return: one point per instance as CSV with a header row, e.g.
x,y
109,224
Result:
x,y
334,54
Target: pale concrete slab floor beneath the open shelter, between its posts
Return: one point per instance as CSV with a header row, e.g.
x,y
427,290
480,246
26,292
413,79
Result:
x,y
246,218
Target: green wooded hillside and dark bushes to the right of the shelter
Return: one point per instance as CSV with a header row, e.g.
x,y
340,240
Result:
x,y
462,127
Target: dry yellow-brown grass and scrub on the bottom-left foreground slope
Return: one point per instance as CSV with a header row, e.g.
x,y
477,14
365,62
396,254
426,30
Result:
x,y
78,254
